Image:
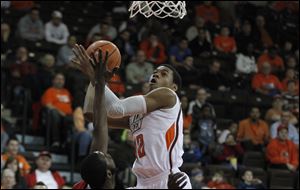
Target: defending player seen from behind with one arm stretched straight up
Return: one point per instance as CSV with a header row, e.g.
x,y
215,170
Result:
x,y
97,169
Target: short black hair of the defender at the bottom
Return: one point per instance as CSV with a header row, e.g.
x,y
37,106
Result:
x,y
93,170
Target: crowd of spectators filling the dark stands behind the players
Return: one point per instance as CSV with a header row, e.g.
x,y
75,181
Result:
x,y
224,51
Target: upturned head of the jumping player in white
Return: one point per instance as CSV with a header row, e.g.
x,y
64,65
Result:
x,y
165,76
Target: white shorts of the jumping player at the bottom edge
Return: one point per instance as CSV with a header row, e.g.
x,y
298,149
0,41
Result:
x,y
159,181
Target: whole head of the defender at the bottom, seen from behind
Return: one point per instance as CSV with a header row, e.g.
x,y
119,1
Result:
x,y
98,170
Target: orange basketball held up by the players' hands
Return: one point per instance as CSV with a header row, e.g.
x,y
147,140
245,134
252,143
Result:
x,y
114,55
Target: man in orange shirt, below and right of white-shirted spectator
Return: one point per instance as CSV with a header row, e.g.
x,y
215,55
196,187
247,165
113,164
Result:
x,y
266,83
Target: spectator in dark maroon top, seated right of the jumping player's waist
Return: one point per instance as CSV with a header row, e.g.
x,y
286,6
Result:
x,y
232,151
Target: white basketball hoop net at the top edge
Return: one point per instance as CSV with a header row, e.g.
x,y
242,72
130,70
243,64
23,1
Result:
x,y
160,9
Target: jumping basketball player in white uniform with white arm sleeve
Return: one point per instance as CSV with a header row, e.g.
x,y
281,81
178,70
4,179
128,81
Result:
x,y
155,120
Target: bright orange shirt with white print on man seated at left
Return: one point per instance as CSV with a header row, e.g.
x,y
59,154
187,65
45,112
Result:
x,y
59,98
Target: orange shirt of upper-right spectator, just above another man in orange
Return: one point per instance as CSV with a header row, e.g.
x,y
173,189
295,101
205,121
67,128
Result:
x,y
276,62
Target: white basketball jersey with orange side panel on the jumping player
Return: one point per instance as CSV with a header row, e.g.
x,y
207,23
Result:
x,y
158,139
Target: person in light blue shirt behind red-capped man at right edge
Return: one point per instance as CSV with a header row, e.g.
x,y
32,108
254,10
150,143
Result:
x,y
293,134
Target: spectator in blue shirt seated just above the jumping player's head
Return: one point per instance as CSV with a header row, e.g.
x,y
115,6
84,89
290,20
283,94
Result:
x,y
179,52
